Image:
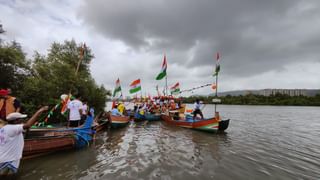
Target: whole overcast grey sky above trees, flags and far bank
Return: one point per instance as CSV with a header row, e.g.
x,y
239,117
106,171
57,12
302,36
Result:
x,y
262,44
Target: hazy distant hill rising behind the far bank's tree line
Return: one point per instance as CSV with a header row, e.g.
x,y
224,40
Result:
x,y
306,92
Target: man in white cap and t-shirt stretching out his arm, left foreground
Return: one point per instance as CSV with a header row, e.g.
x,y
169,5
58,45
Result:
x,y
12,142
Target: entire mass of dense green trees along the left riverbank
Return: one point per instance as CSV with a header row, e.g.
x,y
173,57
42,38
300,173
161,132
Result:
x,y
42,80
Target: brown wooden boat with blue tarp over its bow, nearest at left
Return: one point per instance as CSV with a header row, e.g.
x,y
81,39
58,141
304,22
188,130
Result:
x,y
47,140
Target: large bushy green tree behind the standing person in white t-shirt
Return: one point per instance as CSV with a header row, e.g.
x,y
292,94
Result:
x,y
54,74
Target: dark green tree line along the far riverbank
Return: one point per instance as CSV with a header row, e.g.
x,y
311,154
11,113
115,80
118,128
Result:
x,y
251,99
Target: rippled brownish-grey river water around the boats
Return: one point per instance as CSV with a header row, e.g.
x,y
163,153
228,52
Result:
x,y
262,142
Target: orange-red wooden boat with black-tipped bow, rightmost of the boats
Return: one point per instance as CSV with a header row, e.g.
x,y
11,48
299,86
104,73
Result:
x,y
208,125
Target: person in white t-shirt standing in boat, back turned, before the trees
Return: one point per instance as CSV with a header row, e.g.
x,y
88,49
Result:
x,y
75,112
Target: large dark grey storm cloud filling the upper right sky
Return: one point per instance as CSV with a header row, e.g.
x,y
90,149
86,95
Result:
x,y
252,36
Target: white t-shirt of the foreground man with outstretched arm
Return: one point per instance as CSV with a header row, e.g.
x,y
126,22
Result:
x,y
11,143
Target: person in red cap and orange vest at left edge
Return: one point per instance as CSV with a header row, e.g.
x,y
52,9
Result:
x,y
8,104
